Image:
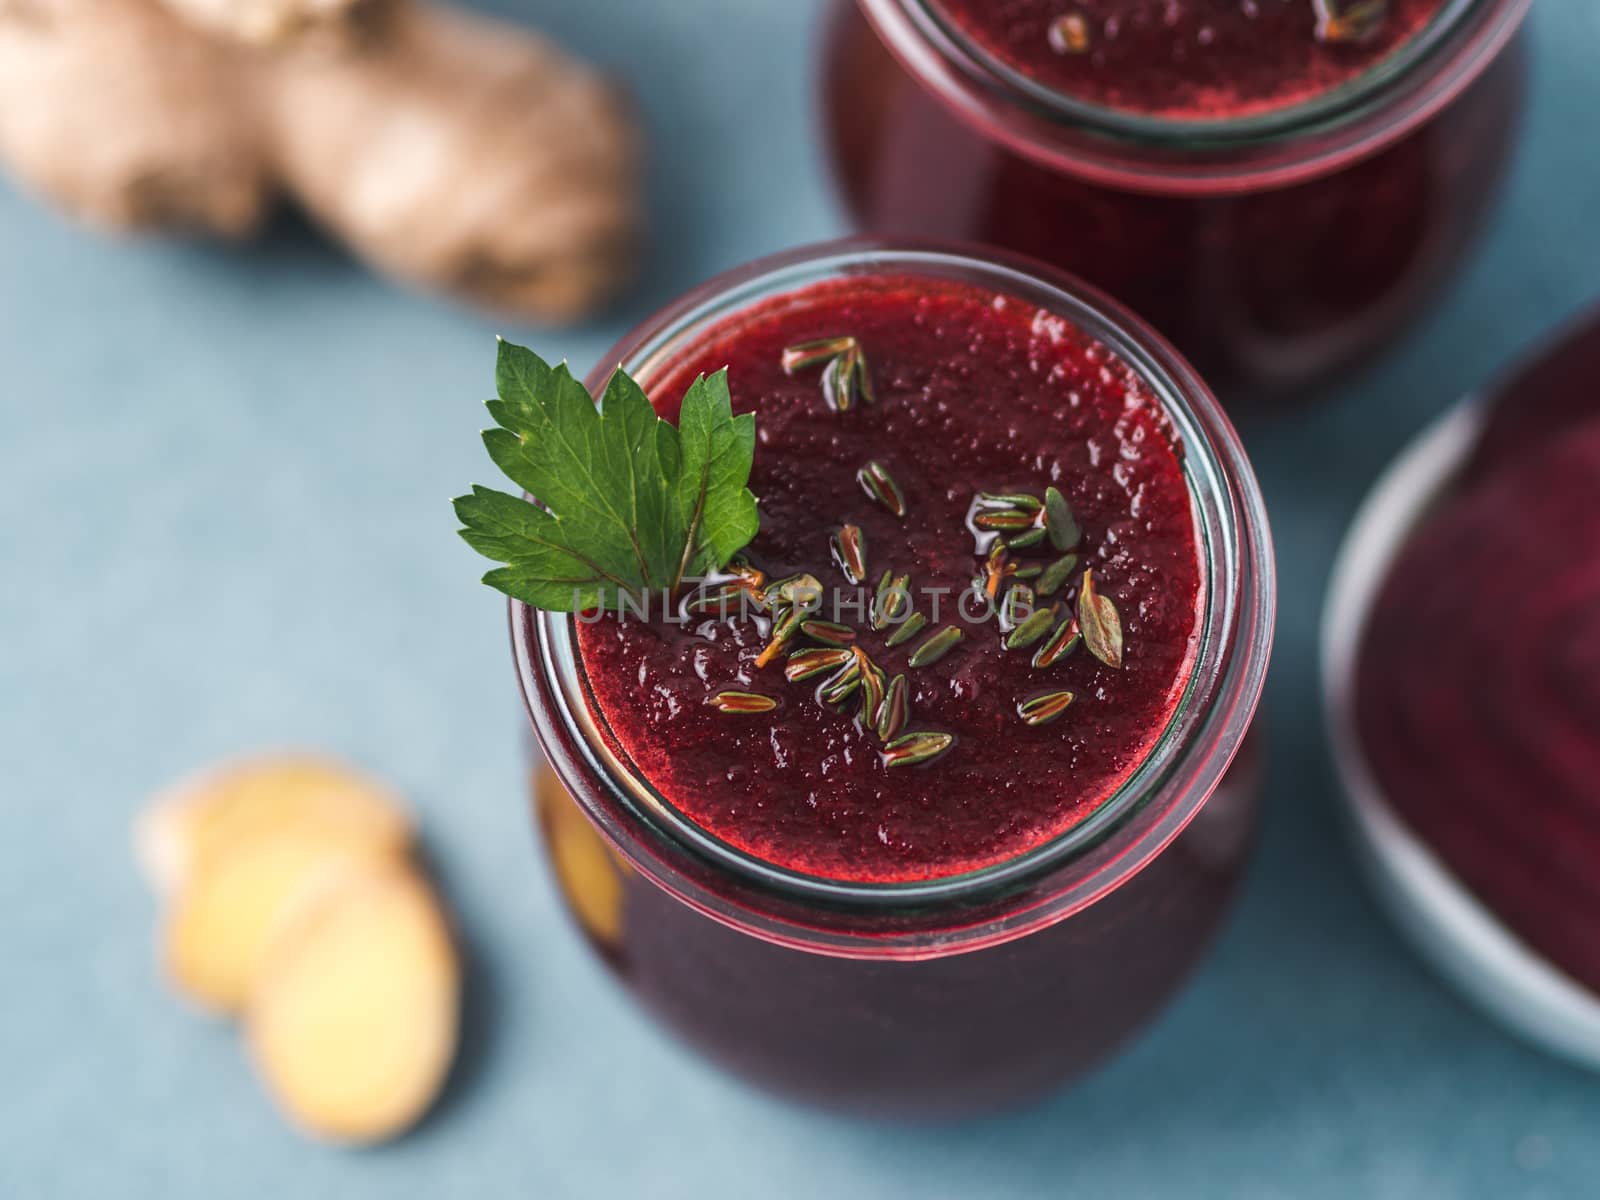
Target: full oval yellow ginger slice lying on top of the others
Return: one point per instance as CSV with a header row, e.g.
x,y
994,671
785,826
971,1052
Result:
x,y
353,1023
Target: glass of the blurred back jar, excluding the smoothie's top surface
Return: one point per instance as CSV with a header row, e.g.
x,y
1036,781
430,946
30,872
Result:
x,y
1274,250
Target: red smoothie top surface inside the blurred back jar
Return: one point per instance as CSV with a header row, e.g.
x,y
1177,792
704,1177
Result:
x,y
1190,60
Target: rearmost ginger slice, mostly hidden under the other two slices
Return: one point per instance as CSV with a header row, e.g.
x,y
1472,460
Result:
x,y
204,818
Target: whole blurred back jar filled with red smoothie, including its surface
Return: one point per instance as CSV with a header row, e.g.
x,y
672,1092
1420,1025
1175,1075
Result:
x,y
1279,186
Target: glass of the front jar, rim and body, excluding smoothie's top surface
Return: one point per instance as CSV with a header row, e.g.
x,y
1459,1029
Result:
x,y
964,993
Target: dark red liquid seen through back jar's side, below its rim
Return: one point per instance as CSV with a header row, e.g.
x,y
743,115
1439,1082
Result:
x,y
1266,289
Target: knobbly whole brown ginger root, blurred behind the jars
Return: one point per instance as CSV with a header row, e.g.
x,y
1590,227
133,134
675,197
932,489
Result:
x,y
450,151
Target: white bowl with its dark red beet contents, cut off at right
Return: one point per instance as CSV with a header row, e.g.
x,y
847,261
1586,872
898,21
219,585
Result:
x,y
1463,655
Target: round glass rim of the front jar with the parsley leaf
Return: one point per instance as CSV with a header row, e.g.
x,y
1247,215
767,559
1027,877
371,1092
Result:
x,y
1122,836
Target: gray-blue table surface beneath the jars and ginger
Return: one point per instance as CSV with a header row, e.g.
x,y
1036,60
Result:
x,y
225,526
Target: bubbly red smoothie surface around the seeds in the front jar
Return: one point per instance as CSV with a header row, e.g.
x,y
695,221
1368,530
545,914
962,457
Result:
x,y
974,393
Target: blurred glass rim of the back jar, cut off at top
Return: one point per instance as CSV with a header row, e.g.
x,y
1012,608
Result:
x,y
1148,153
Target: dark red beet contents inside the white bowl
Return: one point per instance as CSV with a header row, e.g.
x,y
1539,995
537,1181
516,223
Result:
x,y
1479,684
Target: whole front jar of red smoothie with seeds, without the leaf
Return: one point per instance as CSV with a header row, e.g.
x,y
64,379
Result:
x,y
935,855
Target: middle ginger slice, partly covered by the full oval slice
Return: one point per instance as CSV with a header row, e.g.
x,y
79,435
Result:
x,y
223,922
